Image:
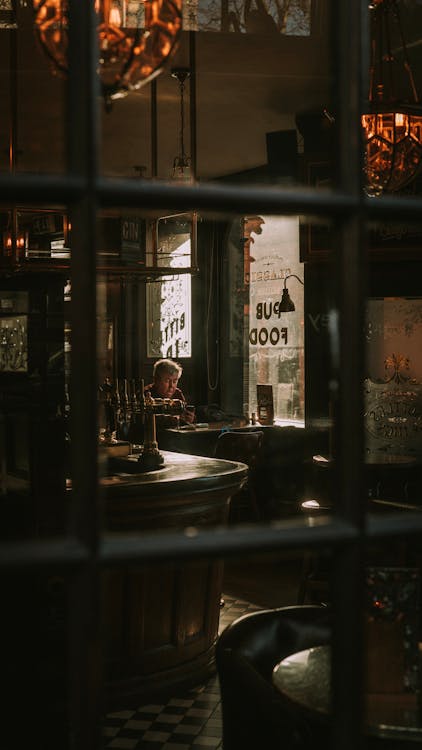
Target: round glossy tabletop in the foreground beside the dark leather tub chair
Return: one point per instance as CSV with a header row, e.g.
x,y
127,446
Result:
x,y
304,679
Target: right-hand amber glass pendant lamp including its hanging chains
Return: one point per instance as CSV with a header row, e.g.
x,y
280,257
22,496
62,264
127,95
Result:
x,y
392,127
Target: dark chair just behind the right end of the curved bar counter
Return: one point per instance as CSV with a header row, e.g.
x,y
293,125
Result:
x,y
244,447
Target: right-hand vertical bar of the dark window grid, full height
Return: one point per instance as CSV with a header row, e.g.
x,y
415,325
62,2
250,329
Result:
x,y
347,671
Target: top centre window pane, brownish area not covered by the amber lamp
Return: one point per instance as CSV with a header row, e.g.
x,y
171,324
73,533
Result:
x,y
239,116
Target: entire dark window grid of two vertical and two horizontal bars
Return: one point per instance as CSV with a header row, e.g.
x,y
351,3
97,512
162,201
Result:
x,y
84,553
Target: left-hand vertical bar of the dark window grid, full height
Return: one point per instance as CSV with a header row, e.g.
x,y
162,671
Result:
x,y
85,663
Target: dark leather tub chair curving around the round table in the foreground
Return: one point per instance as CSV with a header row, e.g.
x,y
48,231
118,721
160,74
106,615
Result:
x,y
254,713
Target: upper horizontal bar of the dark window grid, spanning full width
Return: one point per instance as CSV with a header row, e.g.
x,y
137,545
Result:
x,y
65,189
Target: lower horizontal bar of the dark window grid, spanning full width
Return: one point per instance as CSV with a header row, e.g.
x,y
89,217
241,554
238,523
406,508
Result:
x,y
213,543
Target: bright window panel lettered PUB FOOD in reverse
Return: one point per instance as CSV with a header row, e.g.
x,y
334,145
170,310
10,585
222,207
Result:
x,y
275,338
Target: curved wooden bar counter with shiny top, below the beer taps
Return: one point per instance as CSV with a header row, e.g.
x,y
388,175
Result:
x,y
161,621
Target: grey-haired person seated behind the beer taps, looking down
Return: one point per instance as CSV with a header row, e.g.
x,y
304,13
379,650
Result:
x,y
166,375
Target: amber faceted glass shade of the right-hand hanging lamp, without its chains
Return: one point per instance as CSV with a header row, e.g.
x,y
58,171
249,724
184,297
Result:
x,y
393,142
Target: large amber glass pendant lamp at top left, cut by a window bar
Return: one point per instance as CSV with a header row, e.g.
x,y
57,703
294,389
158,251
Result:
x,y
135,37
